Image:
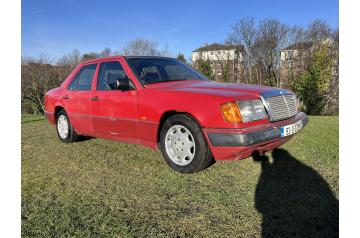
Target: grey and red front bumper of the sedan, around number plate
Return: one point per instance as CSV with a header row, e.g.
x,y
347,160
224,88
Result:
x,y
233,144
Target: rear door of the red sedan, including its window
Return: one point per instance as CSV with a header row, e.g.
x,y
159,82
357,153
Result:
x,y
77,99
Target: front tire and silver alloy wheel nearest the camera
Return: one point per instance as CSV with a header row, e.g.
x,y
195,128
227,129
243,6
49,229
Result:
x,y
183,145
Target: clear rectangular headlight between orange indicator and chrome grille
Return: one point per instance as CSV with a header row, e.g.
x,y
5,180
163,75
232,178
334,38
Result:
x,y
252,110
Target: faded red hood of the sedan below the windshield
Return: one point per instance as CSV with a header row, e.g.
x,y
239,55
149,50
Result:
x,y
232,90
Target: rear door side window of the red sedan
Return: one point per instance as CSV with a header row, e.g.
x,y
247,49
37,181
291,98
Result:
x,y
83,80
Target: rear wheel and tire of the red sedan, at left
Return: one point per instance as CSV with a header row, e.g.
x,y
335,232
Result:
x,y
66,134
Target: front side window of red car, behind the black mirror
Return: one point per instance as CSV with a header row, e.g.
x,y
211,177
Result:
x,y
112,76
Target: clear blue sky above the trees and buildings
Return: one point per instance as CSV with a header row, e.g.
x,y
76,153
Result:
x,y
57,27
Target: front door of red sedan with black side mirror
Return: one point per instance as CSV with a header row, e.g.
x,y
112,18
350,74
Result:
x,y
114,103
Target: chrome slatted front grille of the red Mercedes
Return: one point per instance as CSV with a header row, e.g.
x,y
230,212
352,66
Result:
x,y
282,107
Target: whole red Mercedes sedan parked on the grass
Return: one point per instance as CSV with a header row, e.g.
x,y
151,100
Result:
x,y
165,104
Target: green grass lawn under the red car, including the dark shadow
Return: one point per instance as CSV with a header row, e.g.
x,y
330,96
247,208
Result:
x,y
101,188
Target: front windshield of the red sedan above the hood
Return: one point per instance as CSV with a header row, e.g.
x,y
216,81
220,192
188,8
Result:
x,y
156,70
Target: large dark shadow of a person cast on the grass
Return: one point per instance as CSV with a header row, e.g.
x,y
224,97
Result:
x,y
294,200
